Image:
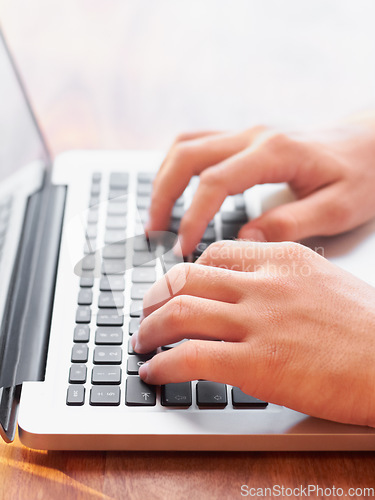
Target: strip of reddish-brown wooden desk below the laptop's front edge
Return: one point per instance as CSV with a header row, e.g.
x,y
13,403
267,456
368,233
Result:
x,y
26,474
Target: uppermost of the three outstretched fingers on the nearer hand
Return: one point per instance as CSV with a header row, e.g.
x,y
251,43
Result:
x,y
193,279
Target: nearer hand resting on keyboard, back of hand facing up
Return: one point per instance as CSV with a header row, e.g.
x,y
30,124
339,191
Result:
x,y
297,330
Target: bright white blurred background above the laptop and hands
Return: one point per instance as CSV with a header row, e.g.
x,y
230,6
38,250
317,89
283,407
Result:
x,y
134,73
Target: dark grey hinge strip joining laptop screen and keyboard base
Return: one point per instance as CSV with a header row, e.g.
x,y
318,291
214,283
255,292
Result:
x,y
26,323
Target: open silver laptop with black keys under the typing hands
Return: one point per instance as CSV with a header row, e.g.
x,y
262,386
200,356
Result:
x,y
74,266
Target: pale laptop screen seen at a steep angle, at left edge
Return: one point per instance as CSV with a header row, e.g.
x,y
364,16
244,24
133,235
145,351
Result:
x,y
20,139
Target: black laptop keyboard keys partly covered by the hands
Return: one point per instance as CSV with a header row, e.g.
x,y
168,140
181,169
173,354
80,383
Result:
x,y
104,367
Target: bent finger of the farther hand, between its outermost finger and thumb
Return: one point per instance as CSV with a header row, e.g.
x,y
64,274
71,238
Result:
x,y
259,164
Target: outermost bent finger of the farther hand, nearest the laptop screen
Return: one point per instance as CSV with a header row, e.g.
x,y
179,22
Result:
x,y
186,159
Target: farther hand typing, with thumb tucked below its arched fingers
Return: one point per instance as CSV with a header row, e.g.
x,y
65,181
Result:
x,y
332,176
